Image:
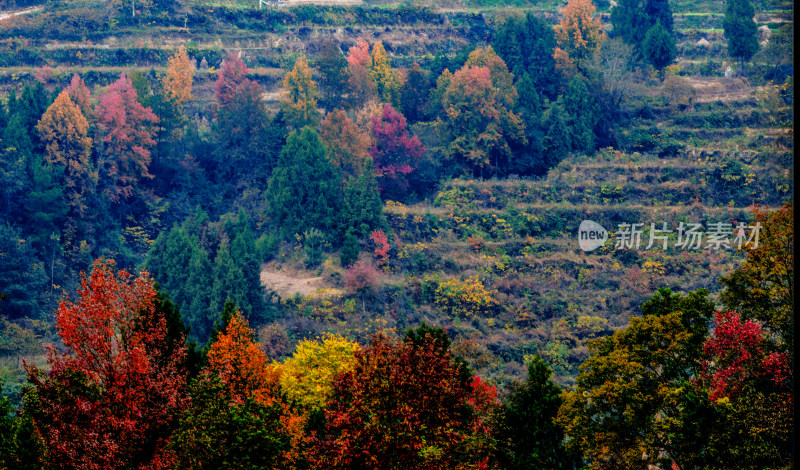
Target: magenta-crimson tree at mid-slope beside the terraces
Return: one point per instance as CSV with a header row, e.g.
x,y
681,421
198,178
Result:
x,y
394,152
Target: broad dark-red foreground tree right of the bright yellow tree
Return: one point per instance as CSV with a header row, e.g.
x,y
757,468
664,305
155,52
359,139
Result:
x,y
403,405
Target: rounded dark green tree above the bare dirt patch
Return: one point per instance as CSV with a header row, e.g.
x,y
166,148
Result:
x,y
304,189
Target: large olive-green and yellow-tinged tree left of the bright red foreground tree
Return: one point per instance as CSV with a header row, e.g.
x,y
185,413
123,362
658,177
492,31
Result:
x,y
632,396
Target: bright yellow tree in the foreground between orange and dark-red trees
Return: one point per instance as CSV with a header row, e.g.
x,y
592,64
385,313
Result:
x,y
307,375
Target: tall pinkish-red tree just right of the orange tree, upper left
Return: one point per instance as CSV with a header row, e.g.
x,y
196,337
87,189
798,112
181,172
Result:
x,y
128,129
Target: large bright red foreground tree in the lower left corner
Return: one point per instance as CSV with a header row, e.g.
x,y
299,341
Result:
x,y
112,399
